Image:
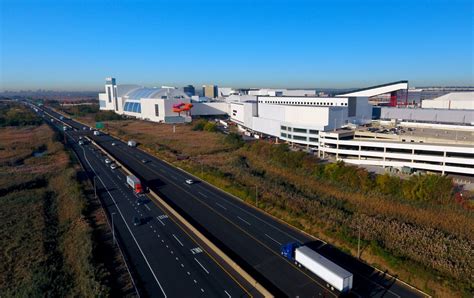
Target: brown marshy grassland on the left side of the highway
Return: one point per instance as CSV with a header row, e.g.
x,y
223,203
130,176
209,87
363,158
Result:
x,y
46,243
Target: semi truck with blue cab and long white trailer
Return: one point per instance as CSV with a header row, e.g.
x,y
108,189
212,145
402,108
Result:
x,y
337,277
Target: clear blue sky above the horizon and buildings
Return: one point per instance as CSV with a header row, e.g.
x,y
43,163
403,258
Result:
x,y
74,45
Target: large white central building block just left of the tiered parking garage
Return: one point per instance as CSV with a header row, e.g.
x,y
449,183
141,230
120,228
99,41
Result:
x,y
300,119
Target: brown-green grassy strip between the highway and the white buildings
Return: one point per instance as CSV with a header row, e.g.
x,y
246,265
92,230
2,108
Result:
x,y
413,228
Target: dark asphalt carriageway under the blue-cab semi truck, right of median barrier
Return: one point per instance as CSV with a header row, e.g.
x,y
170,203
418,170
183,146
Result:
x,y
249,236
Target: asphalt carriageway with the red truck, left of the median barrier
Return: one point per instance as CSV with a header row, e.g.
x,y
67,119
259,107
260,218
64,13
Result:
x,y
178,266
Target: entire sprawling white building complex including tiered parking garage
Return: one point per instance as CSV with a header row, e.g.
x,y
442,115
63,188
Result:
x,y
315,122
